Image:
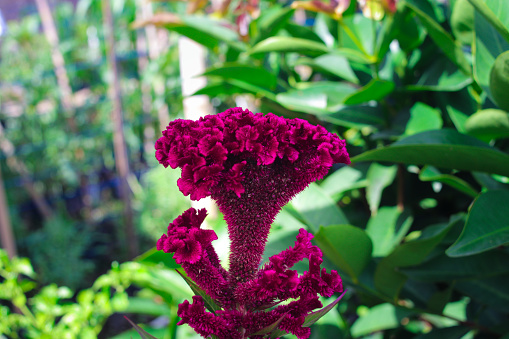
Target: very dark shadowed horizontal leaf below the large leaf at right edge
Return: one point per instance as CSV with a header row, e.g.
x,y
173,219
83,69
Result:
x,y
444,268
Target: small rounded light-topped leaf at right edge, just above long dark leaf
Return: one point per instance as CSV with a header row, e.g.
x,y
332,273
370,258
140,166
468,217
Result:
x,y
488,124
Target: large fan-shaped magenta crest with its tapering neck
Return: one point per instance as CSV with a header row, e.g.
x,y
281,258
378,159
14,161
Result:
x,y
252,165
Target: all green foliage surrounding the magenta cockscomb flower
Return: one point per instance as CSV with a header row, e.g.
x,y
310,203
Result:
x,y
417,225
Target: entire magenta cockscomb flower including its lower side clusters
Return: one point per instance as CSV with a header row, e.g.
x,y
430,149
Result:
x,y
251,165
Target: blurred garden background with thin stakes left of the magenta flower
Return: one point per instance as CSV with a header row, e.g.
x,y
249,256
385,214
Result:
x,y
65,164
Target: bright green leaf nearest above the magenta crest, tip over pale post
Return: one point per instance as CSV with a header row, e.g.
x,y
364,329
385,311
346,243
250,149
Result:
x,y
257,76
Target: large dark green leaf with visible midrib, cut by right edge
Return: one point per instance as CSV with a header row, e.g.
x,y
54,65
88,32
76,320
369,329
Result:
x,y
486,227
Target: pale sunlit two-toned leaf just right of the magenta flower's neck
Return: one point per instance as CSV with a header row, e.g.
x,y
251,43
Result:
x,y
317,208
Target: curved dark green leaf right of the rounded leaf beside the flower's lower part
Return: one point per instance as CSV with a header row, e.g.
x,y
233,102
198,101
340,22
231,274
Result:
x,y
388,279
